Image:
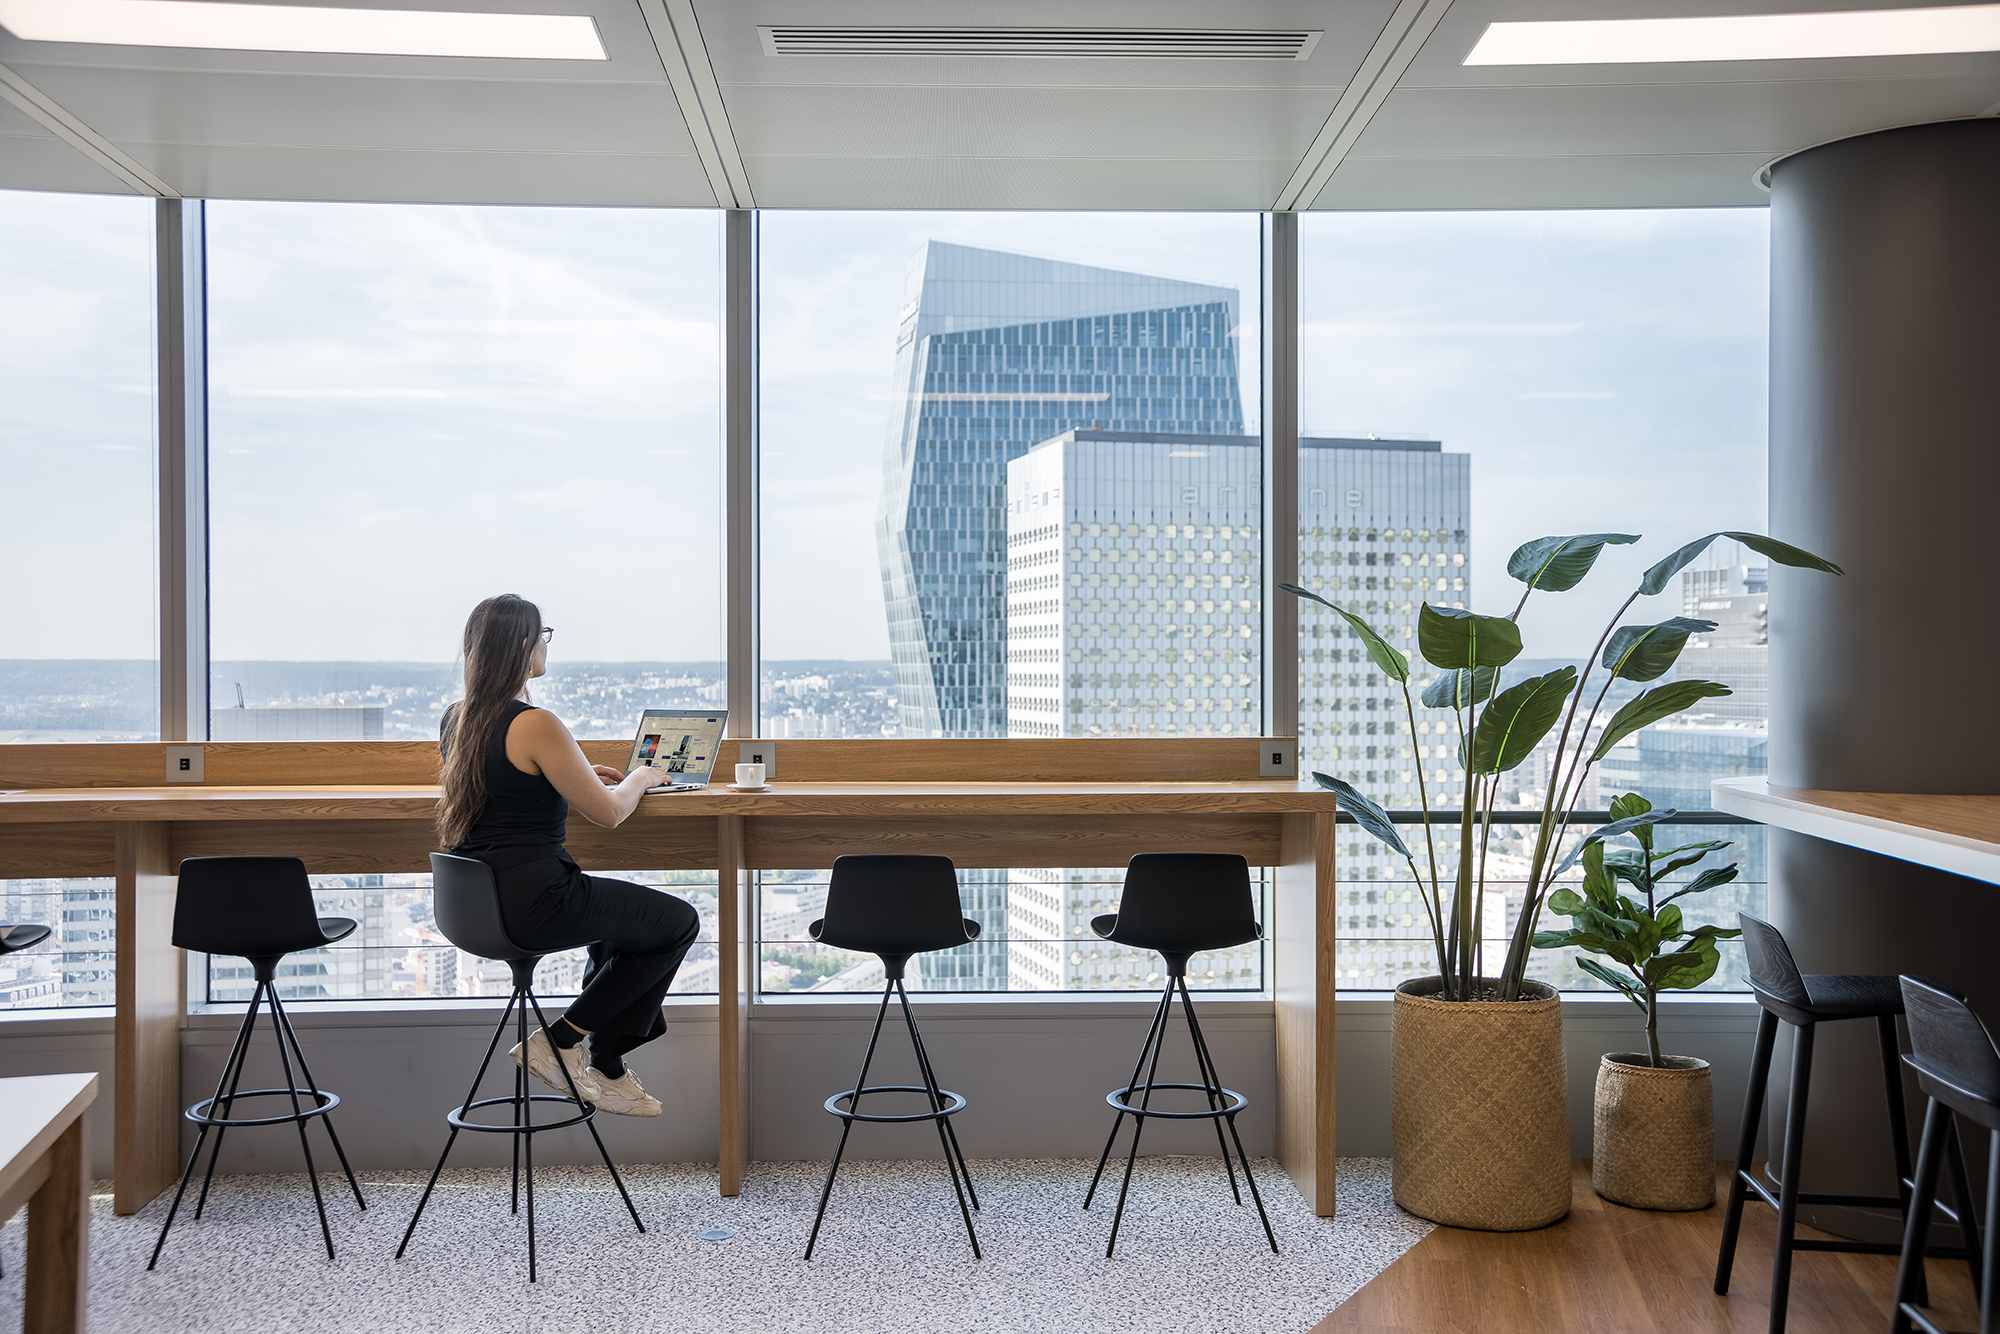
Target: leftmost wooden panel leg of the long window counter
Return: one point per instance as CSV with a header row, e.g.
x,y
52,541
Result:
x,y
147,1031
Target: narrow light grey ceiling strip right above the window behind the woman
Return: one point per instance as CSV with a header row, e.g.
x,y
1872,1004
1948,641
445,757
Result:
x,y
409,177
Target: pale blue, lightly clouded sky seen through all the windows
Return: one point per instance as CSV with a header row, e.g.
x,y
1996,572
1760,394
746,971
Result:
x,y
419,407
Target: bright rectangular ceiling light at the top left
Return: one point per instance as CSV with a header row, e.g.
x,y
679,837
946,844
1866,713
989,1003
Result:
x,y
305,29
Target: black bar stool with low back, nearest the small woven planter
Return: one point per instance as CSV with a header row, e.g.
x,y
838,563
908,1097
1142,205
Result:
x,y
1807,1001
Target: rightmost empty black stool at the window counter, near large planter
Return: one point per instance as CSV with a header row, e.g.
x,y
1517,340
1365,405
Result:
x,y
1179,905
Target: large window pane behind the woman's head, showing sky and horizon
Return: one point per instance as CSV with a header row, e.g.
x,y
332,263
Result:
x,y
415,409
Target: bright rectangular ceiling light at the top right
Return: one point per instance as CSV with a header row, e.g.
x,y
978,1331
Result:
x,y
1743,37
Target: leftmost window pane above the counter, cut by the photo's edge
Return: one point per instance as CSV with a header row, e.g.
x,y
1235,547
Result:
x,y
77,427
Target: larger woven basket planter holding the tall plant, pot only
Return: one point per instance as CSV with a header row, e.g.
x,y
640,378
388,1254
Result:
x,y
1481,1109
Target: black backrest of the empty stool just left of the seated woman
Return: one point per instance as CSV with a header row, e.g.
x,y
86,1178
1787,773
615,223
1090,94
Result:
x,y
257,907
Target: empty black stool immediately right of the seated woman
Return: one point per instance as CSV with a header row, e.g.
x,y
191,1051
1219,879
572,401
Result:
x,y
897,907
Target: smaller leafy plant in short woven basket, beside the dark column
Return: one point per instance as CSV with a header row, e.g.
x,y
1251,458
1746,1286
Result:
x,y
1655,1119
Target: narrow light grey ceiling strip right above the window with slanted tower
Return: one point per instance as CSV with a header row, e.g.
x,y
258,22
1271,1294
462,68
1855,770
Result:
x,y
1019,183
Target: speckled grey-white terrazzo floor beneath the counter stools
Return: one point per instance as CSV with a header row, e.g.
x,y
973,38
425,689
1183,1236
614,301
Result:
x,y
893,1255
